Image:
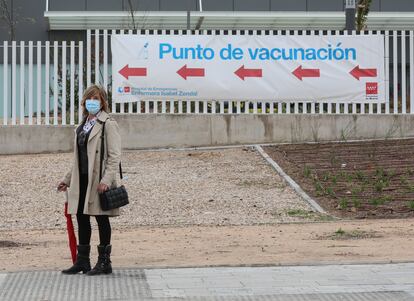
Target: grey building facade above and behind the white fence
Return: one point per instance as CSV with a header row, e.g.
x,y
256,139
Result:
x,y
43,20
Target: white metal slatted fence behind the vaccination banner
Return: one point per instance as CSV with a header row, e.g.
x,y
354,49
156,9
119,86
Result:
x,y
42,83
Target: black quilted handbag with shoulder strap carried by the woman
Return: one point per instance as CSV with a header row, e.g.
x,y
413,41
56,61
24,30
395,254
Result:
x,y
115,197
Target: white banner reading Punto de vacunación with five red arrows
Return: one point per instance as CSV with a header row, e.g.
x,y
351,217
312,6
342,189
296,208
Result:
x,y
246,67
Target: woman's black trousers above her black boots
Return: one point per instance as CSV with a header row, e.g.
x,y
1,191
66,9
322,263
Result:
x,y
84,223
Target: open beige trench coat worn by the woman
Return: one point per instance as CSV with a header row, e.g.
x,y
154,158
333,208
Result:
x,y
110,167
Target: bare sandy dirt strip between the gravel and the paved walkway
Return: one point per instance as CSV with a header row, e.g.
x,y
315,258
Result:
x,y
357,241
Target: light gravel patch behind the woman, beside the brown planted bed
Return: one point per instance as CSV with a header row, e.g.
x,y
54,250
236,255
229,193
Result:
x,y
197,187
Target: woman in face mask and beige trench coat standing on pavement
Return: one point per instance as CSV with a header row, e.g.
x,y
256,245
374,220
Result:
x,y
83,179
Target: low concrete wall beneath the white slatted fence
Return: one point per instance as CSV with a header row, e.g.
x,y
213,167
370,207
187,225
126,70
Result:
x,y
161,131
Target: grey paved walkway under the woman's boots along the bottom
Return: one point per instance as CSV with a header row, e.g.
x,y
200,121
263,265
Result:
x,y
332,282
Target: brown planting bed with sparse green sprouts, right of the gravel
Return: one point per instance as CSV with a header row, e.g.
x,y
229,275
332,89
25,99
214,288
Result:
x,y
370,179
